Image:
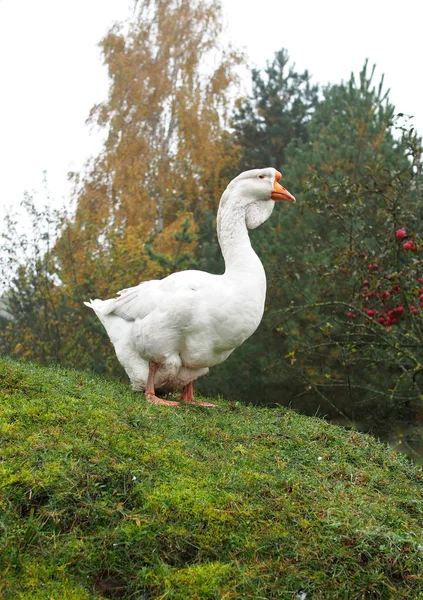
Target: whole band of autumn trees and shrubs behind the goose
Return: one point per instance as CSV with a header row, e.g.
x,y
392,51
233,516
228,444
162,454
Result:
x,y
342,332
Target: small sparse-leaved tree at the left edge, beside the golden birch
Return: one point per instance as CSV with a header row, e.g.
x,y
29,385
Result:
x,y
33,302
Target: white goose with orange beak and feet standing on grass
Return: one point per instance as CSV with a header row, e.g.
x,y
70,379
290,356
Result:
x,y
168,332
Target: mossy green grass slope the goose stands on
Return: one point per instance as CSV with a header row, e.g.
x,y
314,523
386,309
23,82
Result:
x,y
105,496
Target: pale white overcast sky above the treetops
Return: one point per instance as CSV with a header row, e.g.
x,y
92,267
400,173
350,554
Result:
x,y
52,73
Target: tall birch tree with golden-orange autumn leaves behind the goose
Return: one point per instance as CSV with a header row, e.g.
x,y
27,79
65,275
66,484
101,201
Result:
x,y
166,147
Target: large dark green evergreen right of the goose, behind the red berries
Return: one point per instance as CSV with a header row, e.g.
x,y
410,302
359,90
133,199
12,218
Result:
x,y
356,184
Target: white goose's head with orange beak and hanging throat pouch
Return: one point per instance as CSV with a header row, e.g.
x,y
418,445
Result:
x,y
256,192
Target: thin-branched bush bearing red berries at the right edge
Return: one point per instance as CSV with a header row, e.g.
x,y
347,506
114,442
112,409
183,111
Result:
x,y
353,331
